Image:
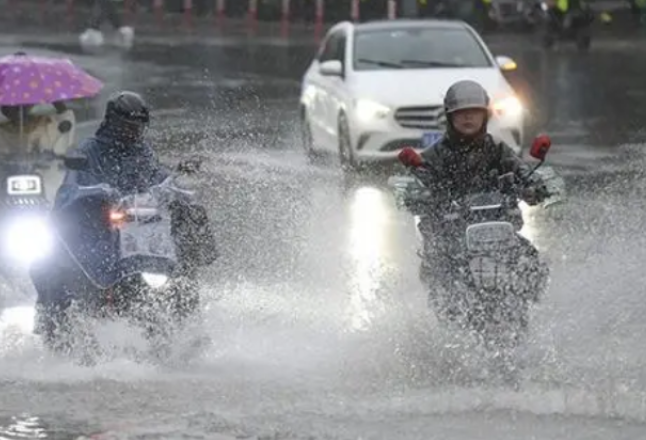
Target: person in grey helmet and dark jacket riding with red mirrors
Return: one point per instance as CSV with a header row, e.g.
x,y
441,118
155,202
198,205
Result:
x,y
466,161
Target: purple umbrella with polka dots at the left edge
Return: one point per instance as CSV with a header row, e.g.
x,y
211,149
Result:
x,y
26,80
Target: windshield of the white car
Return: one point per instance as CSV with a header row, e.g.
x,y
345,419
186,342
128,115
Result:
x,y
417,48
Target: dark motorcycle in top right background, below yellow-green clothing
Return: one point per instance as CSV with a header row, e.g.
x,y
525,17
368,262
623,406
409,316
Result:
x,y
575,25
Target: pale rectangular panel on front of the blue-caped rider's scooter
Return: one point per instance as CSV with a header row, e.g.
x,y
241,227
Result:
x,y
151,239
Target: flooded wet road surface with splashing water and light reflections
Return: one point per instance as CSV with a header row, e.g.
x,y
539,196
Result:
x,y
318,322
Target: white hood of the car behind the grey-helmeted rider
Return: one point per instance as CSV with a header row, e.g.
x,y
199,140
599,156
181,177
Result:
x,y
423,86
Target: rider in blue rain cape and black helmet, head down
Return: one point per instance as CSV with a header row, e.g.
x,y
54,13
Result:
x,y
117,156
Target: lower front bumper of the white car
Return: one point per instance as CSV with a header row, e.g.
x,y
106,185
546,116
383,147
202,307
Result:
x,y
377,146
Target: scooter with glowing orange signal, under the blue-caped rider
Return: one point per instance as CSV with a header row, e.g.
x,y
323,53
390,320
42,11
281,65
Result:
x,y
129,255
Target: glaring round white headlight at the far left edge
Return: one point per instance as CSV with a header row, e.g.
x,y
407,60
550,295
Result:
x,y
28,240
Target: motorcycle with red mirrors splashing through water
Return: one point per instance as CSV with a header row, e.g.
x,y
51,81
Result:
x,y
494,272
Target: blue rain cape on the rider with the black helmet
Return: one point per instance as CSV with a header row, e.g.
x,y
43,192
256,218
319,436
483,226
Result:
x,y
129,169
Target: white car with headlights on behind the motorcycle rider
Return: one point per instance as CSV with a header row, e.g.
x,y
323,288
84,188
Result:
x,y
377,87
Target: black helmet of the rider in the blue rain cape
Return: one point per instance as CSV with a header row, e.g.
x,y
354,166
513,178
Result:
x,y
127,116
